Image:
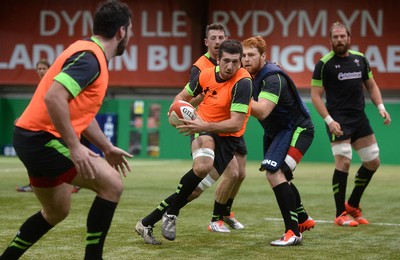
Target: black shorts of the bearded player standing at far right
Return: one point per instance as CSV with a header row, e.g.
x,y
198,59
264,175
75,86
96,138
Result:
x,y
353,126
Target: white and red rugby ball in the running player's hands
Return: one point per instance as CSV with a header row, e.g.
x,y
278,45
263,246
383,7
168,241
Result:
x,y
180,110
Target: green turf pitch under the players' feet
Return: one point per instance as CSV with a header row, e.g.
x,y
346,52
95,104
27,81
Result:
x,y
153,180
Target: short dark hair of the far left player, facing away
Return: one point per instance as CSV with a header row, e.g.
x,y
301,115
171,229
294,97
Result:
x,y
109,17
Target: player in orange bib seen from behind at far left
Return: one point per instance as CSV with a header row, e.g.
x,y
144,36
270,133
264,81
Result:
x,y
47,135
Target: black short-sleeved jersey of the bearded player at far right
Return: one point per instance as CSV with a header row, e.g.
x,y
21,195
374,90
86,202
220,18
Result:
x,y
342,78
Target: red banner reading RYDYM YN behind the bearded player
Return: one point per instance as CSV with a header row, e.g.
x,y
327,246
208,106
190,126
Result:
x,y
297,32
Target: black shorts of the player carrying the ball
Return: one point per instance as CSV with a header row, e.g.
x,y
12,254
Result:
x,y
225,148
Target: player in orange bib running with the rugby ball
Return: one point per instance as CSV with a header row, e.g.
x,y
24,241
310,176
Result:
x,y
216,133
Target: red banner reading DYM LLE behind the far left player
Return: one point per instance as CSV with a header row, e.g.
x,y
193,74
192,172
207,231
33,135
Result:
x,y
158,55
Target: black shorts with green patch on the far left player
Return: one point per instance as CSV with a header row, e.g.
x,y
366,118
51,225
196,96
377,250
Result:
x,y
45,156
